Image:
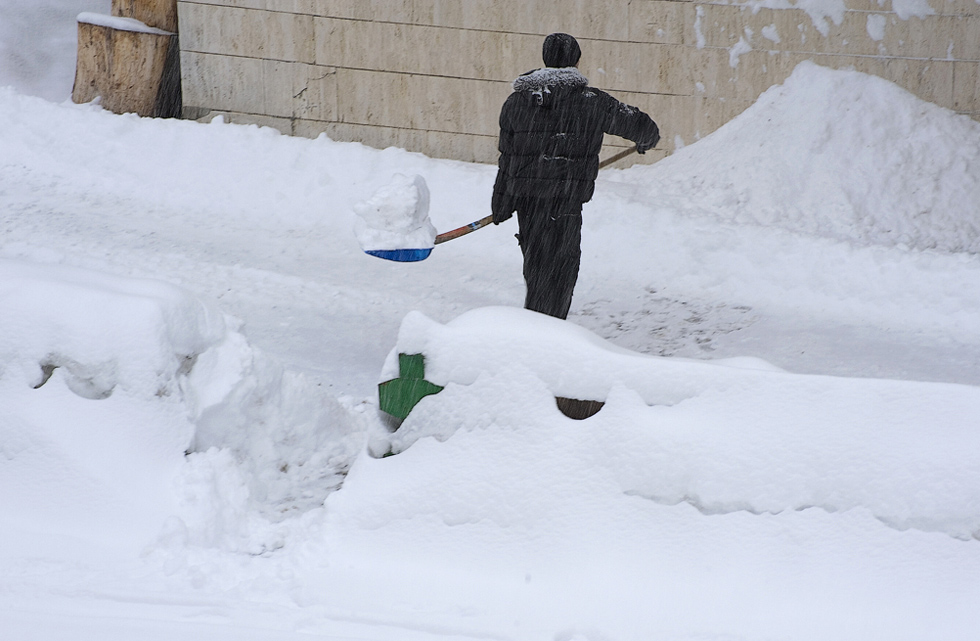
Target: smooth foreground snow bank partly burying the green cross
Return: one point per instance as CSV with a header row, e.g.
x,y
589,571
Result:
x,y
705,500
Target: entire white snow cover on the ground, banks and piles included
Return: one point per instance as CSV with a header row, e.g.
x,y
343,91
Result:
x,y
783,320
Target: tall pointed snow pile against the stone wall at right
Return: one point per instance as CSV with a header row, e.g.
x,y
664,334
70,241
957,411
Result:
x,y
838,154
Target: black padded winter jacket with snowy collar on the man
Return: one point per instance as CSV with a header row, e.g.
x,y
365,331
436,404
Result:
x,y
551,131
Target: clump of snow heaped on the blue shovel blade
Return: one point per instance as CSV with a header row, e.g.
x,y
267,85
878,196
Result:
x,y
396,217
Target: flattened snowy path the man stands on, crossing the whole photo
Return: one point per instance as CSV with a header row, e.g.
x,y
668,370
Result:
x,y
288,264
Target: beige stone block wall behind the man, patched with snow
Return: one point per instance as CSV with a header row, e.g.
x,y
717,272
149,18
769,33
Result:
x,y
430,75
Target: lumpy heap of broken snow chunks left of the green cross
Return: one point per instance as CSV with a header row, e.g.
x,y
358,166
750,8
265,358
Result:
x,y
270,443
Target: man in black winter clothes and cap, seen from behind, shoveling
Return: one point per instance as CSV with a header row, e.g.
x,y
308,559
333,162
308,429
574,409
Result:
x,y
551,131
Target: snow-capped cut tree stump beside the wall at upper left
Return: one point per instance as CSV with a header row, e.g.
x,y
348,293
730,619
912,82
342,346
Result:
x,y
124,62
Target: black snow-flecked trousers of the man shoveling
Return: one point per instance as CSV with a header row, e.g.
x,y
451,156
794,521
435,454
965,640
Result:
x,y
550,238
